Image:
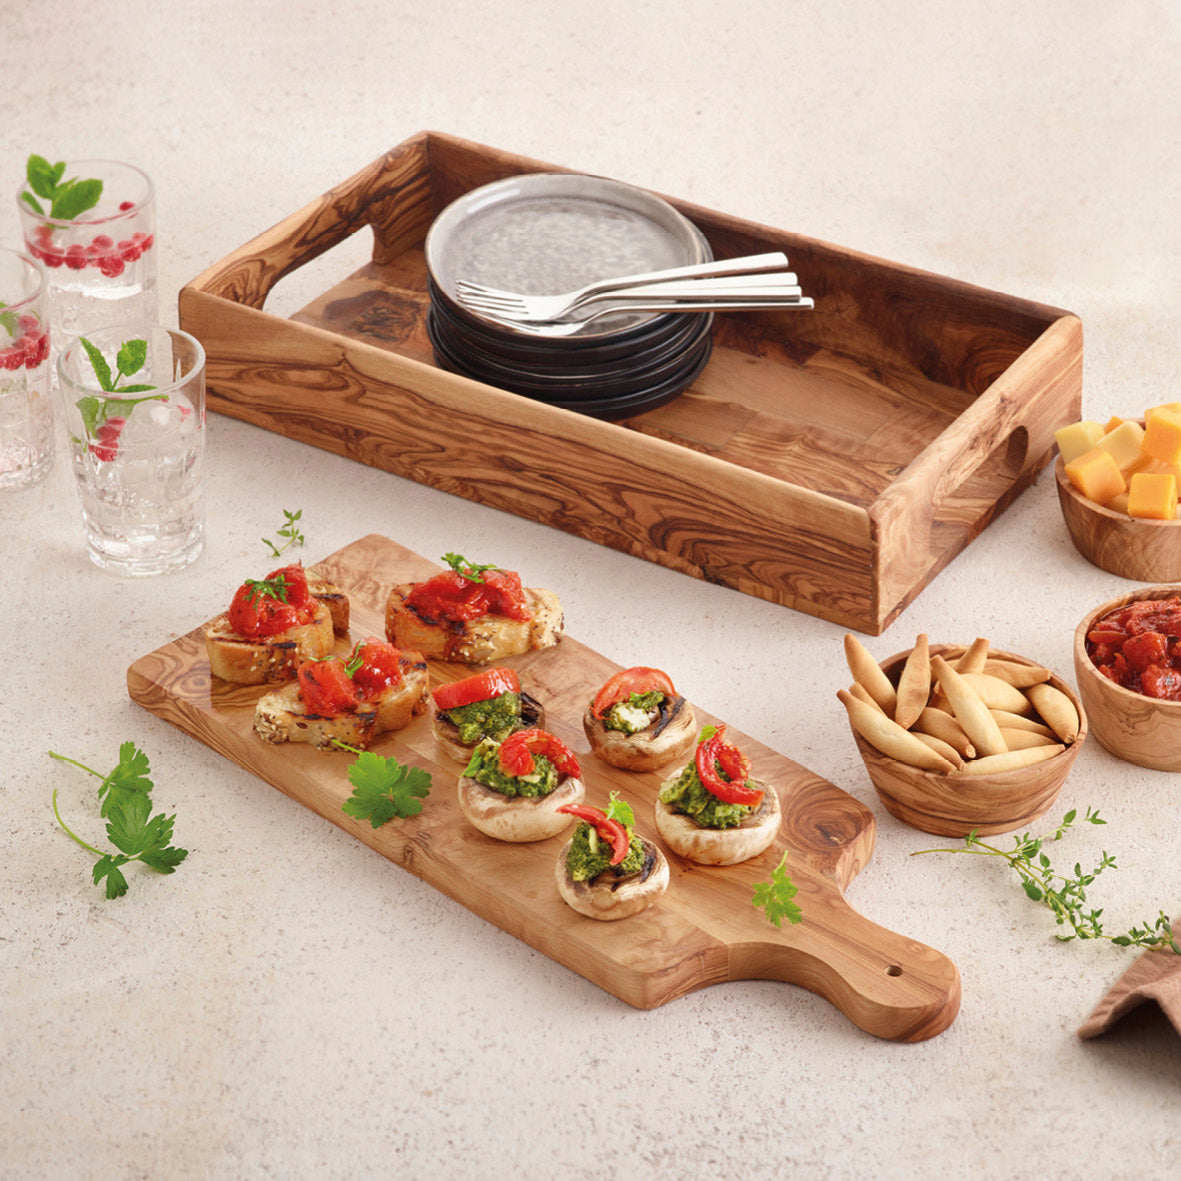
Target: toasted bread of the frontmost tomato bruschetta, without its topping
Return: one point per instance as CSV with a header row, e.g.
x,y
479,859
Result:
x,y
282,716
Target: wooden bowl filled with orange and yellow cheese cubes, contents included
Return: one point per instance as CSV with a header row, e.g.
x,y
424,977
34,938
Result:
x,y
1119,486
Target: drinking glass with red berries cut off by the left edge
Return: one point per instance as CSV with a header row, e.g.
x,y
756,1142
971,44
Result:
x,y
27,413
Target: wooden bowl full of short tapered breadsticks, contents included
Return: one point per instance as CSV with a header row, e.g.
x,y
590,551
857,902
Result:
x,y
961,740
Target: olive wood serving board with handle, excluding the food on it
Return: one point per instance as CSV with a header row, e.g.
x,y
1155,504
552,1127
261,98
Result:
x,y
704,931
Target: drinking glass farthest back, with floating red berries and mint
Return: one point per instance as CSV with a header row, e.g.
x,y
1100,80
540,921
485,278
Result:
x,y
101,263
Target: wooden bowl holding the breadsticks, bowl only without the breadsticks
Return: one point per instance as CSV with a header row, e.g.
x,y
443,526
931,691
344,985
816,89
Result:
x,y
954,805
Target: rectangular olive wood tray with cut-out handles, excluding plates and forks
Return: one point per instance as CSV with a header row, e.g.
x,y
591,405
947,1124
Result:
x,y
832,462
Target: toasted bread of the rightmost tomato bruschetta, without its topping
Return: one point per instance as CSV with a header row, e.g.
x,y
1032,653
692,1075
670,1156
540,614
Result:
x,y
479,641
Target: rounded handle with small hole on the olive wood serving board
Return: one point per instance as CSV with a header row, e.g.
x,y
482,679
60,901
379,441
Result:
x,y
885,983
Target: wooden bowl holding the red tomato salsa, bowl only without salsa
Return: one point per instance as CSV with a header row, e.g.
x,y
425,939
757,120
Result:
x,y
1138,729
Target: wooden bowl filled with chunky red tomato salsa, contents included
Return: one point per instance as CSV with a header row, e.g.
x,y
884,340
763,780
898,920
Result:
x,y
1128,667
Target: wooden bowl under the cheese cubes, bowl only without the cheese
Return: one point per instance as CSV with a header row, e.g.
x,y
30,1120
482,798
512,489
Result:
x,y
1132,547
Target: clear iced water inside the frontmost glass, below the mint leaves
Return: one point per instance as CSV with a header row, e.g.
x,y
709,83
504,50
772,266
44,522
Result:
x,y
142,500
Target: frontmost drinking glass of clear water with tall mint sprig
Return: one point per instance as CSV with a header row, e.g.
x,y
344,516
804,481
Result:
x,y
135,408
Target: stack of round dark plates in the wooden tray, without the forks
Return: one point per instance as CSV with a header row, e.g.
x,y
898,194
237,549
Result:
x,y
543,234
